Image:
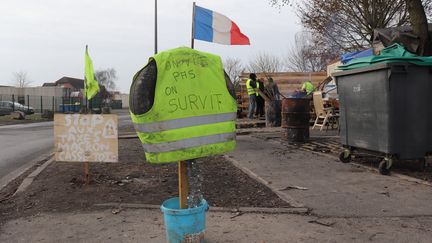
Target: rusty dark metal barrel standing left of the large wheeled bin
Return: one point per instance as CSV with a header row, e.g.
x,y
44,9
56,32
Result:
x,y
295,119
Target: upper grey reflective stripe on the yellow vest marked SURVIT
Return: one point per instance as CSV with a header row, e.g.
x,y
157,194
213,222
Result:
x,y
184,122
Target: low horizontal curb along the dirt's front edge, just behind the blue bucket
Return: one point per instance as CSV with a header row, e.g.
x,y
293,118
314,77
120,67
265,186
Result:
x,y
213,209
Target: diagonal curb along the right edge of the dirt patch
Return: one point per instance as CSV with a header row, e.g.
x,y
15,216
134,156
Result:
x,y
254,176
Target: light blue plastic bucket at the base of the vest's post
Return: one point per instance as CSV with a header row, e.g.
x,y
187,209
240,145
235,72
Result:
x,y
184,225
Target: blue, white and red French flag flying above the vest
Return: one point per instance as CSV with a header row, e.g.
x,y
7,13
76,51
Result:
x,y
215,27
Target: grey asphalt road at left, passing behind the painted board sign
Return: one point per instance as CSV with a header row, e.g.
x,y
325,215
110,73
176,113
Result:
x,y
22,144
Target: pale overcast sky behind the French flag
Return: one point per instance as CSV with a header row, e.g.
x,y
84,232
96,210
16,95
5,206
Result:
x,y
47,38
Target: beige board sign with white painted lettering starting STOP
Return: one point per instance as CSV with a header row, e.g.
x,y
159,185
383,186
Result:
x,y
86,138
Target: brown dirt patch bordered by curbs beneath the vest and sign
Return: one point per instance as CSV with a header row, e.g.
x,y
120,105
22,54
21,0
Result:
x,y
59,188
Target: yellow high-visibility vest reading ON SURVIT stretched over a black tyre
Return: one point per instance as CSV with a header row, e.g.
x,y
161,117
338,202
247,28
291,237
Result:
x,y
181,107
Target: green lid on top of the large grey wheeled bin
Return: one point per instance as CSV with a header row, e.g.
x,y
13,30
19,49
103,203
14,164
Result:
x,y
390,54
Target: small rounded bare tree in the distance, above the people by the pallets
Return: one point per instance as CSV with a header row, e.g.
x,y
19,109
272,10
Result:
x,y
265,63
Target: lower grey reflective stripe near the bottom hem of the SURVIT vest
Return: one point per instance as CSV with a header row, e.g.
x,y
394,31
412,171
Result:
x,y
188,143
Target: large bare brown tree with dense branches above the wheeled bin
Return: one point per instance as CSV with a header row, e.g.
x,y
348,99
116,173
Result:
x,y
349,24
